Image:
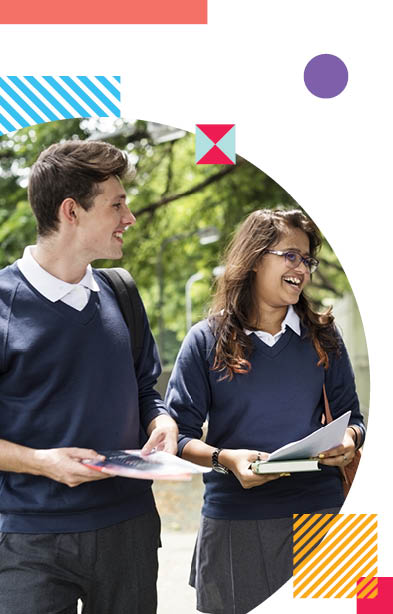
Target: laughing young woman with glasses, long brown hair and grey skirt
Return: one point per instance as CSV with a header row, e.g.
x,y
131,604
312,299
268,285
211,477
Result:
x,y
255,370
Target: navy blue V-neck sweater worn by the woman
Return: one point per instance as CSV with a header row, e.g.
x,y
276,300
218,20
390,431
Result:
x,y
278,401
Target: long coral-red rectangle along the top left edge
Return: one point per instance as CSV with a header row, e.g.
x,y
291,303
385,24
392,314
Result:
x,y
93,12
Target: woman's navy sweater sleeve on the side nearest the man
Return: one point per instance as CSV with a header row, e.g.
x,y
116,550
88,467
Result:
x,y
188,396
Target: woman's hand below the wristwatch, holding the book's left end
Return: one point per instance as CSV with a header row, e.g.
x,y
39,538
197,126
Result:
x,y
239,461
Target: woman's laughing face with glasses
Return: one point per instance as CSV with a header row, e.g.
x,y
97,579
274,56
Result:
x,y
277,282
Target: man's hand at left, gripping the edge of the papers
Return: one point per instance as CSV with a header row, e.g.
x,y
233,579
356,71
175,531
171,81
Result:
x,y
64,465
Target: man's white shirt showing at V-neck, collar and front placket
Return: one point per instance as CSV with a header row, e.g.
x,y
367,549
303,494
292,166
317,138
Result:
x,y
53,288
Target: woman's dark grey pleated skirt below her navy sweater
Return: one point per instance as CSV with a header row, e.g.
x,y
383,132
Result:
x,y
237,564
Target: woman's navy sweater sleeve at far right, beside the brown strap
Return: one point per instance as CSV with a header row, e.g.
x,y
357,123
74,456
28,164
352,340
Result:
x,y
341,388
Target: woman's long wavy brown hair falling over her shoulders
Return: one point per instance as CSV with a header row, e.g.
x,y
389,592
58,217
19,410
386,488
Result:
x,y
235,299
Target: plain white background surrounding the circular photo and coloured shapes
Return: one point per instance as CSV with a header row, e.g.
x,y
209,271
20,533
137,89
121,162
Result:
x,y
333,156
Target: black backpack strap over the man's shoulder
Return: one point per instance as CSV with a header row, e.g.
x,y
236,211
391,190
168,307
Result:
x,y
130,304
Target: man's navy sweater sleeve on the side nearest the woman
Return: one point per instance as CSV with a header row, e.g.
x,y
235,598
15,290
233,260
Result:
x,y
147,372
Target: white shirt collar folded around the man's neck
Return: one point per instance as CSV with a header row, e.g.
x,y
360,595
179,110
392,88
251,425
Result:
x,y
53,288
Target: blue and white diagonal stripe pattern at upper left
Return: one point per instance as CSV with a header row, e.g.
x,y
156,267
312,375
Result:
x,y
29,100
